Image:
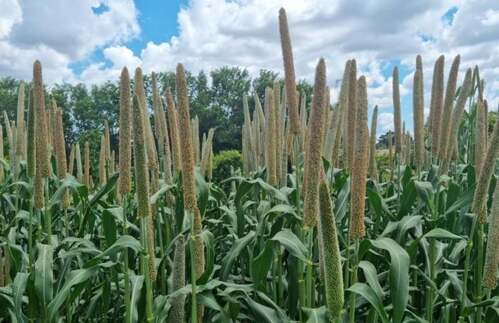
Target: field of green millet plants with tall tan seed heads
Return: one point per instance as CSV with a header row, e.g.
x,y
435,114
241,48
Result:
x,y
313,227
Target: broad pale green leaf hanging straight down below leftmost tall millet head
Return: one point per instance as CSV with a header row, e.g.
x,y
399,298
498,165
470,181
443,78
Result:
x,y
44,276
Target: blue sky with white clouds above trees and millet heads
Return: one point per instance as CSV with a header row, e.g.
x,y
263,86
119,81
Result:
x,y
89,41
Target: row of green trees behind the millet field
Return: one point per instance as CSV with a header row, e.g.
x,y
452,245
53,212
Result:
x,y
217,100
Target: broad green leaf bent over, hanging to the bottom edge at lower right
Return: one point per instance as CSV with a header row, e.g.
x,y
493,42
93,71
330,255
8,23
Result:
x,y
399,275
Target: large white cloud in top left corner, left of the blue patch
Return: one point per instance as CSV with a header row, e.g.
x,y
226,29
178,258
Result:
x,y
59,32
